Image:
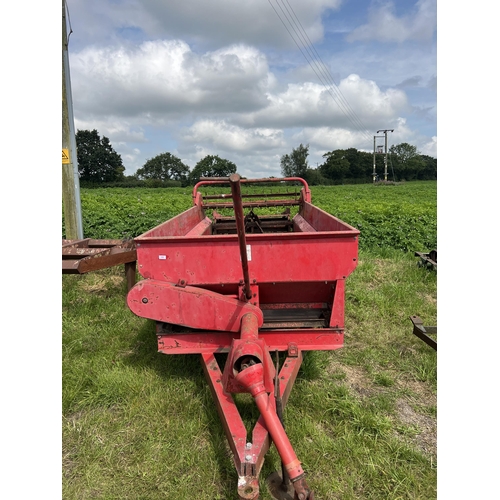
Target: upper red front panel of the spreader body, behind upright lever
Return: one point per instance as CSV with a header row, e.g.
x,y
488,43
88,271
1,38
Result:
x,y
215,259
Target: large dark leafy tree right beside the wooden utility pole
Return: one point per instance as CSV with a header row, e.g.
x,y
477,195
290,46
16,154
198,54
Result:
x,y
97,160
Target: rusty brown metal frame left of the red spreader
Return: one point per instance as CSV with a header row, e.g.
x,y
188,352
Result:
x,y
86,255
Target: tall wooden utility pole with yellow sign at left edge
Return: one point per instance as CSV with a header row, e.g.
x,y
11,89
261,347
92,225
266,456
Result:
x,y
70,179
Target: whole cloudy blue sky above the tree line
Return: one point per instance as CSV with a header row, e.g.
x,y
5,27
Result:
x,y
250,80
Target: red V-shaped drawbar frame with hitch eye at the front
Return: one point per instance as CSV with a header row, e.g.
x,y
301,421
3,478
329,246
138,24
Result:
x,y
248,458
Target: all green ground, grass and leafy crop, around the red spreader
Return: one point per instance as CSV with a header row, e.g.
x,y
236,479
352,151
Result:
x,y
137,424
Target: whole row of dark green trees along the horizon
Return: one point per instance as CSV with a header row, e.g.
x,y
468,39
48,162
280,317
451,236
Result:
x,y
99,164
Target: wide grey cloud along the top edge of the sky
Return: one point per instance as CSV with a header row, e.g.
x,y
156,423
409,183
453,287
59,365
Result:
x,y
212,24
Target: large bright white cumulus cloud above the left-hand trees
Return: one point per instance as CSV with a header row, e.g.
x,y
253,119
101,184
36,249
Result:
x,y
165,78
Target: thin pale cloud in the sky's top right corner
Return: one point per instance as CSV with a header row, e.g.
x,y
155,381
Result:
x,y
385,26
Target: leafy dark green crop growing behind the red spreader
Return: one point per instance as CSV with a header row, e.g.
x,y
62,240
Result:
x,y
402,216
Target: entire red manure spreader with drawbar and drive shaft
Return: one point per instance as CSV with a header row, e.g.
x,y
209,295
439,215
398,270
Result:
x,y
251,286
